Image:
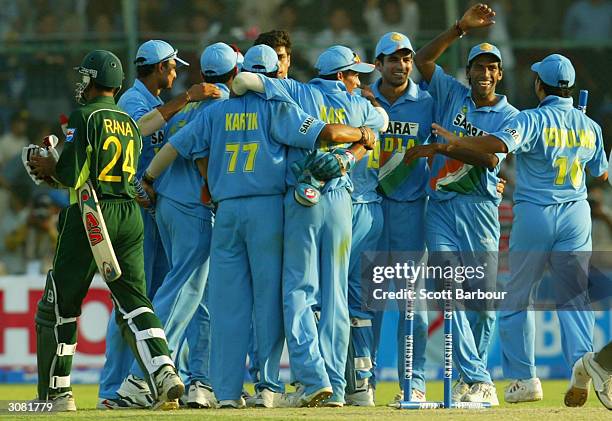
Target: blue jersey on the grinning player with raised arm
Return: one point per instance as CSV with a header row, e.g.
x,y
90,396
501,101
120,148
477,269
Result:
x,y
455,110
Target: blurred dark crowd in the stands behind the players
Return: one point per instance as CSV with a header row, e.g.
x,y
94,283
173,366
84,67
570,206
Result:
x,y
42,40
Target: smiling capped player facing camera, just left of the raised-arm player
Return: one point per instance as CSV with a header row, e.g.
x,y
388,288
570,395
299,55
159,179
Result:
x,y
402,185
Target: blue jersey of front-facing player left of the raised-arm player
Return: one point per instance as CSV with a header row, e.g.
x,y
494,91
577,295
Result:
x,y
410,118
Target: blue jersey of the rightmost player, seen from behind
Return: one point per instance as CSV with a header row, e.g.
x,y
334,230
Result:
x,y
553,144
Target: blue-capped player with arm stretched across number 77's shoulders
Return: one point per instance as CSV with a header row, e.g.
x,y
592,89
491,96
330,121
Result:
x,y
317,238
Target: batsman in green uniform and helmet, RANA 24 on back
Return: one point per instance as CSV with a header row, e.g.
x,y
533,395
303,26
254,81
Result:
x,y
102,146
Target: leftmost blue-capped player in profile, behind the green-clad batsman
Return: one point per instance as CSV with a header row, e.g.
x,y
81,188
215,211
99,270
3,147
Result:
x,y
156,63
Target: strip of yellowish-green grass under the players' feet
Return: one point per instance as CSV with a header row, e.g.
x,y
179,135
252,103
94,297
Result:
x,y
550,408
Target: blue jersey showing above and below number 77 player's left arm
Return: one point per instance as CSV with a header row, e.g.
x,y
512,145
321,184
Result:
x,y
181,181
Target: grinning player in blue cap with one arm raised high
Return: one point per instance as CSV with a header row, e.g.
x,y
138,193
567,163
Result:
x,y
462,213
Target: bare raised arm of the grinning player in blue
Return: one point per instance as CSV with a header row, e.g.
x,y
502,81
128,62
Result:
x,y
477,16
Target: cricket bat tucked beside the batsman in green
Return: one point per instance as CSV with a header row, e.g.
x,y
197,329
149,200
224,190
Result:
x,y
97,234
